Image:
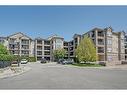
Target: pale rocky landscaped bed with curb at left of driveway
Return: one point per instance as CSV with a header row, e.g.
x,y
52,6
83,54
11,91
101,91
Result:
x,y
13,71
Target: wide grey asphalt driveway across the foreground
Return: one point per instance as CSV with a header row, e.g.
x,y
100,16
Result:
x,y
54,76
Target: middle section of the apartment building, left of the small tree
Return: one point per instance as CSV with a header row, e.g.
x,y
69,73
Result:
x,y
44,47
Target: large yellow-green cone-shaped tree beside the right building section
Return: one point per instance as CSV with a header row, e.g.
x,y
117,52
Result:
x,y
86,50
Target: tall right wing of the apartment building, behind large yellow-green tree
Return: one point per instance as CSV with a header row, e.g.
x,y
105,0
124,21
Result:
x,y
110,45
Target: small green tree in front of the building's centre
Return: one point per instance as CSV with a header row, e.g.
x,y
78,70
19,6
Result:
x,y
59,53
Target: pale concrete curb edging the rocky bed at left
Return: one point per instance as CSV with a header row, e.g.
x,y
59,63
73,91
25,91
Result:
x,y
25,69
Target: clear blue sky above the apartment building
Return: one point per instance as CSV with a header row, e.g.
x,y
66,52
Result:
x,y
65,21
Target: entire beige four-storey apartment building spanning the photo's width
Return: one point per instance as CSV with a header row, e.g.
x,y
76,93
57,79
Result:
x,y
111,46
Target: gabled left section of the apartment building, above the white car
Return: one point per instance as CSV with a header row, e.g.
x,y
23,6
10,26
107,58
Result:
x,y
20,44
